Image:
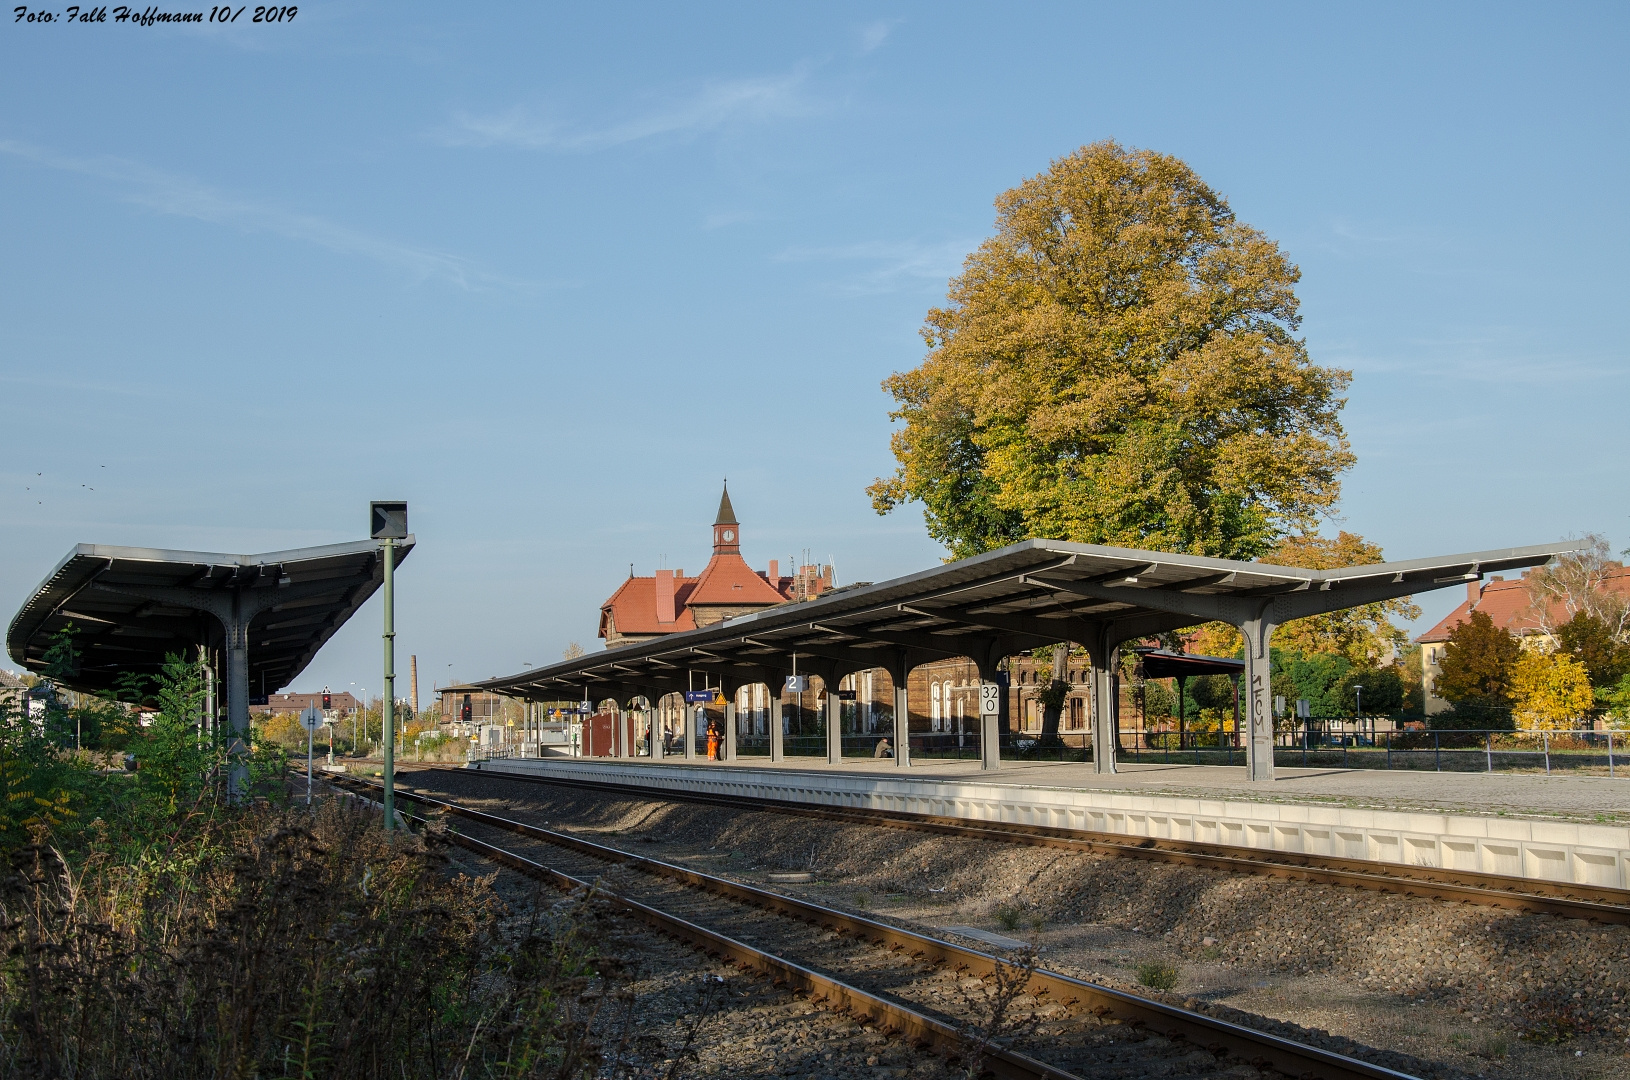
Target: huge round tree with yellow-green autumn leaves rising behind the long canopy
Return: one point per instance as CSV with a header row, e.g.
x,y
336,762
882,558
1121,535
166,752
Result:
x,y
1119,366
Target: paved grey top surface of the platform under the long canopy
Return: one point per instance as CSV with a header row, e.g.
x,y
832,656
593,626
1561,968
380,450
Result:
x,y
1557,797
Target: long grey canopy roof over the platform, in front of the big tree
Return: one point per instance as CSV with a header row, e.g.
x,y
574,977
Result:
x,y
1020,597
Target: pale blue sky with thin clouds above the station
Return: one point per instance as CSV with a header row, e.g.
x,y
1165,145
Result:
x,y
550,273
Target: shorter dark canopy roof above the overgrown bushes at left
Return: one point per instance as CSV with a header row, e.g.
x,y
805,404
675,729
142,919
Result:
x,y
121,631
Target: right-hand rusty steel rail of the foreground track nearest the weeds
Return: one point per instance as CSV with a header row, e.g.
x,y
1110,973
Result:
x,y
1218,1037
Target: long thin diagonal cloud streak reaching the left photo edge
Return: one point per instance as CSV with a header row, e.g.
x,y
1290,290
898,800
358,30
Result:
x,y
182,196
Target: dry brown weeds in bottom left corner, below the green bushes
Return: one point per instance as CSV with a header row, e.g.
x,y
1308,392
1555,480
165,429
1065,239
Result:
x,y
214,952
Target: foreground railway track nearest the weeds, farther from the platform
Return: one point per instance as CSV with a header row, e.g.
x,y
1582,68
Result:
x,y
905,981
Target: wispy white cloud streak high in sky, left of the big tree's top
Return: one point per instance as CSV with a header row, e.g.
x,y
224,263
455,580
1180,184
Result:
x,y
710,108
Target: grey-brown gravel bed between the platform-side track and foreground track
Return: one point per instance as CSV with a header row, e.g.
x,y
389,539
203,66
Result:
x,y
1476,990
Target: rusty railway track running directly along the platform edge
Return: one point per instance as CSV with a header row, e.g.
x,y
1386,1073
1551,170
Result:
x,y
1491,890
